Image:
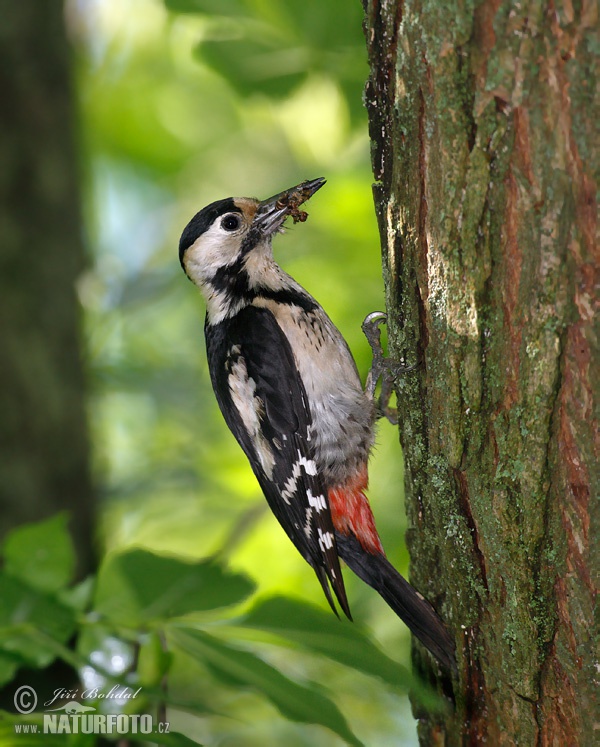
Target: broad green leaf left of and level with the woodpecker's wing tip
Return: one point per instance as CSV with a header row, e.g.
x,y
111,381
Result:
x,y
137,587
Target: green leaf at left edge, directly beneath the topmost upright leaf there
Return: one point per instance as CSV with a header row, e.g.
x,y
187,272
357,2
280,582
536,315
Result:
x,y
30,622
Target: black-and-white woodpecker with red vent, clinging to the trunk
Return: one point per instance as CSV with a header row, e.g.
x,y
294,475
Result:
x,y
289,390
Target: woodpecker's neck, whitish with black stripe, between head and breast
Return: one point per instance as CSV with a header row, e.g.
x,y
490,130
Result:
x,y
253,275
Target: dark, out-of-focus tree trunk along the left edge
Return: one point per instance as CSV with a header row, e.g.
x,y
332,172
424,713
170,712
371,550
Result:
x,y
44,463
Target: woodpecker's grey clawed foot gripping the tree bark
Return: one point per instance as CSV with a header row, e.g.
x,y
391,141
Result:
x,y
381,368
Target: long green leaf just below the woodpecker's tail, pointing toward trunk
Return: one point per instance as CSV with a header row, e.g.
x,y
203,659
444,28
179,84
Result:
x,y
324,634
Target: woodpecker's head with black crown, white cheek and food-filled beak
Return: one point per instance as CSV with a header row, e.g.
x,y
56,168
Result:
x,y
226,248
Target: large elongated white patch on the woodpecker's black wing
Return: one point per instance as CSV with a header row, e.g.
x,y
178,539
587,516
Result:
x,y
250,407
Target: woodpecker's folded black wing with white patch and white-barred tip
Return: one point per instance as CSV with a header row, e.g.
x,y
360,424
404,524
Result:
x,y
264,403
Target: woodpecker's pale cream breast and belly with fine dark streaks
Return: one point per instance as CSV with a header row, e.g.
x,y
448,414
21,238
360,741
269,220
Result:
x,y
343,416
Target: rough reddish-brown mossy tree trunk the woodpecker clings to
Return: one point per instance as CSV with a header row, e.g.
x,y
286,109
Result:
x,y
483,137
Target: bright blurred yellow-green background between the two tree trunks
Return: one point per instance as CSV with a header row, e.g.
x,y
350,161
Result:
x,y
180,108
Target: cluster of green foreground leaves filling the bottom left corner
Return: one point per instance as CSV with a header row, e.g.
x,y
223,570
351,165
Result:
x,y
146,614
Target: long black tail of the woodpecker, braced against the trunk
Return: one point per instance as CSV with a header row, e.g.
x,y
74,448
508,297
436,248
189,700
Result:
x,y
420,617
